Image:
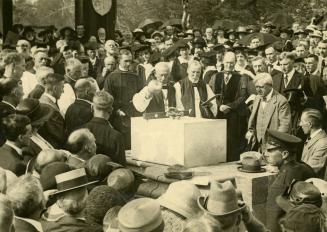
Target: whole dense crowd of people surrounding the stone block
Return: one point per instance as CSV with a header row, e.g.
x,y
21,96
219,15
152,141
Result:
x,y
67,99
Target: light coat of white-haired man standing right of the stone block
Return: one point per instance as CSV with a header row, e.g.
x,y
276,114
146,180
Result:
x,y
278,114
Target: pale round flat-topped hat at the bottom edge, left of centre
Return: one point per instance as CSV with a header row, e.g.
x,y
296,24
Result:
x,y
140,215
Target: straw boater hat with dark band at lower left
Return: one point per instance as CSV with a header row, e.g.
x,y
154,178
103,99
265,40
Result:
x,y
71,180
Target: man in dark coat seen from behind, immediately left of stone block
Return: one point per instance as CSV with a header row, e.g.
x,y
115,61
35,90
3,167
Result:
x,y
108,140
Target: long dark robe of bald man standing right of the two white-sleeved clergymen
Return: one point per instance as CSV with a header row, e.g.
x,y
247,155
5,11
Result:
x,y
233,95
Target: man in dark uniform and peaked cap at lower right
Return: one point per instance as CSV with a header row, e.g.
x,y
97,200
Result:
x,y
281,151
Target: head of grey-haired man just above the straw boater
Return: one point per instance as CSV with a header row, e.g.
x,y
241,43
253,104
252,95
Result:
x,y
82,144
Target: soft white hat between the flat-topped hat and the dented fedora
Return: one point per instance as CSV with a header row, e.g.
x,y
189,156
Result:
x,y
185,205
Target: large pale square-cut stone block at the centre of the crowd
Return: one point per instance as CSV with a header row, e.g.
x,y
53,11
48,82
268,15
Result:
x,y
188,141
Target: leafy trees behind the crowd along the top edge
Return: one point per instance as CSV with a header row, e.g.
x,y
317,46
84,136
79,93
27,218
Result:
x,y
204,12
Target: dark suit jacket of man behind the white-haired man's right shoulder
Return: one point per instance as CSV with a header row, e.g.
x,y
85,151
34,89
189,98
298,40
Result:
x,y
298,81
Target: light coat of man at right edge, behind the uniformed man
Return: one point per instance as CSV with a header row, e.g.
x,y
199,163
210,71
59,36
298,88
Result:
x,y
315,153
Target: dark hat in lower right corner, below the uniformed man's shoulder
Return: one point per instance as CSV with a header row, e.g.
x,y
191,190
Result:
x,y
298,193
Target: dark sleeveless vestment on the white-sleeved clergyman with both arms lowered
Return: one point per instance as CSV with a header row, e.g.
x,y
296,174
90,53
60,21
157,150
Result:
x,y
187,90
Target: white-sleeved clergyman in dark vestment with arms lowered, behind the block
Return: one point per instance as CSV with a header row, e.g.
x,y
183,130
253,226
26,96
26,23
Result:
x,y
192,91
